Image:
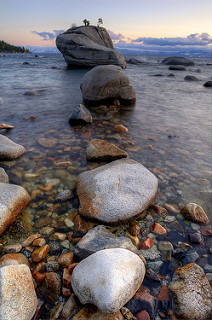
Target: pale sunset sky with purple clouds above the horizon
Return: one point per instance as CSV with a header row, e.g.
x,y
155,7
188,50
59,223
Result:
x,y
36,22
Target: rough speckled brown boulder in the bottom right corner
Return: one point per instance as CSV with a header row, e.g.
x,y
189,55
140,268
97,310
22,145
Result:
x,y
192,293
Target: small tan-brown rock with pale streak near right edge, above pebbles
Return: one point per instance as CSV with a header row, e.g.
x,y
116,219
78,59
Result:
x,y
195,213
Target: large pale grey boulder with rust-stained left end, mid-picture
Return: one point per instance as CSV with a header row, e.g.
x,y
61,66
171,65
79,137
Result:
x,y
116,191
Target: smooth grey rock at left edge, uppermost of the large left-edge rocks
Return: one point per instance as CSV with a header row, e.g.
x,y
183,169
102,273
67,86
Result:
x,y
9,150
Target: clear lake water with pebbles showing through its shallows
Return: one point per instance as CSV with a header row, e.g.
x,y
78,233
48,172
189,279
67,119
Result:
x,y
175,112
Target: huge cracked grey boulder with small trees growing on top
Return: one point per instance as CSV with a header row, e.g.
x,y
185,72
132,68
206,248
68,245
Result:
x,y
88,46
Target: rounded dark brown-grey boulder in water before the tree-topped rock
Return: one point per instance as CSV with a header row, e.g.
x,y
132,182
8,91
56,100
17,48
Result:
x,y
107,83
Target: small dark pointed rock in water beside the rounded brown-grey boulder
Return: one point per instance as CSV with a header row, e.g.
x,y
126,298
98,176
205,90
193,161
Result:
x,y
80,115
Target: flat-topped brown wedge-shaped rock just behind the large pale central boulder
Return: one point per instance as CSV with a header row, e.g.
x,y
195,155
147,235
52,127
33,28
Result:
x,y
101,150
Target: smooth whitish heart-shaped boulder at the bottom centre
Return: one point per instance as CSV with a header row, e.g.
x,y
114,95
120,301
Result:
x,y
108,278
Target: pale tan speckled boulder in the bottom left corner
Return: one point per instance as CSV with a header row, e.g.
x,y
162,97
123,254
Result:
x,y
18,299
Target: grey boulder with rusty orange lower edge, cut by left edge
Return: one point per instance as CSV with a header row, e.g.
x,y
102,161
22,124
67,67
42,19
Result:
x,y
13,199
